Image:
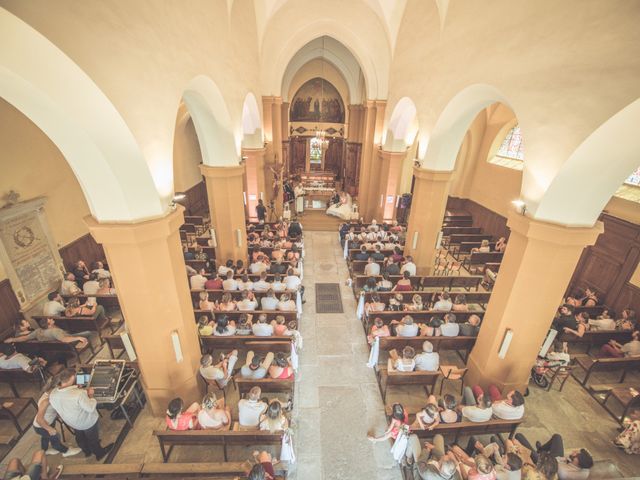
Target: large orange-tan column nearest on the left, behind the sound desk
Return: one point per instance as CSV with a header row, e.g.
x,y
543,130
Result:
x,y
147,265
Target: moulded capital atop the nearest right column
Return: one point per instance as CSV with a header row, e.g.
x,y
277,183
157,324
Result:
x,y
553,233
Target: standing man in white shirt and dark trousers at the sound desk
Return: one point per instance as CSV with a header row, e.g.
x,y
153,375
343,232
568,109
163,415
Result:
x,y
77,408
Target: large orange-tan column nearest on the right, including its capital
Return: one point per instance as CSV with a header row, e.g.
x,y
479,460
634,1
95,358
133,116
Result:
x,y
538,264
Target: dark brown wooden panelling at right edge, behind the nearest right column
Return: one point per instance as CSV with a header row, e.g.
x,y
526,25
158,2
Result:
x,y
607,266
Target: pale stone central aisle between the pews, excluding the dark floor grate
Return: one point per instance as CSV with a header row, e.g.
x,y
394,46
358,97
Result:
x,y
337,398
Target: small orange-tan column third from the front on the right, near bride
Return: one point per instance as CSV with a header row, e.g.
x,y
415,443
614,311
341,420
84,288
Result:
x,y
387,171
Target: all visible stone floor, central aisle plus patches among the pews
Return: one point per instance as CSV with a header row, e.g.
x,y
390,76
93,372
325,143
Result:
x,y
337,400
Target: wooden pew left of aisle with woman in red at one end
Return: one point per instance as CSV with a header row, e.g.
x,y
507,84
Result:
x,y
224,438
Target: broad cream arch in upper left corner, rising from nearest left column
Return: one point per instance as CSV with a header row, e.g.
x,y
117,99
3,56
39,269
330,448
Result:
x,y
81,121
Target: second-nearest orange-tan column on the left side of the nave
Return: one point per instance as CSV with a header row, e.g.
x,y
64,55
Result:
x,y
224,190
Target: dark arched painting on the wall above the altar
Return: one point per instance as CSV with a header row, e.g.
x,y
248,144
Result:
x,y
317,101
